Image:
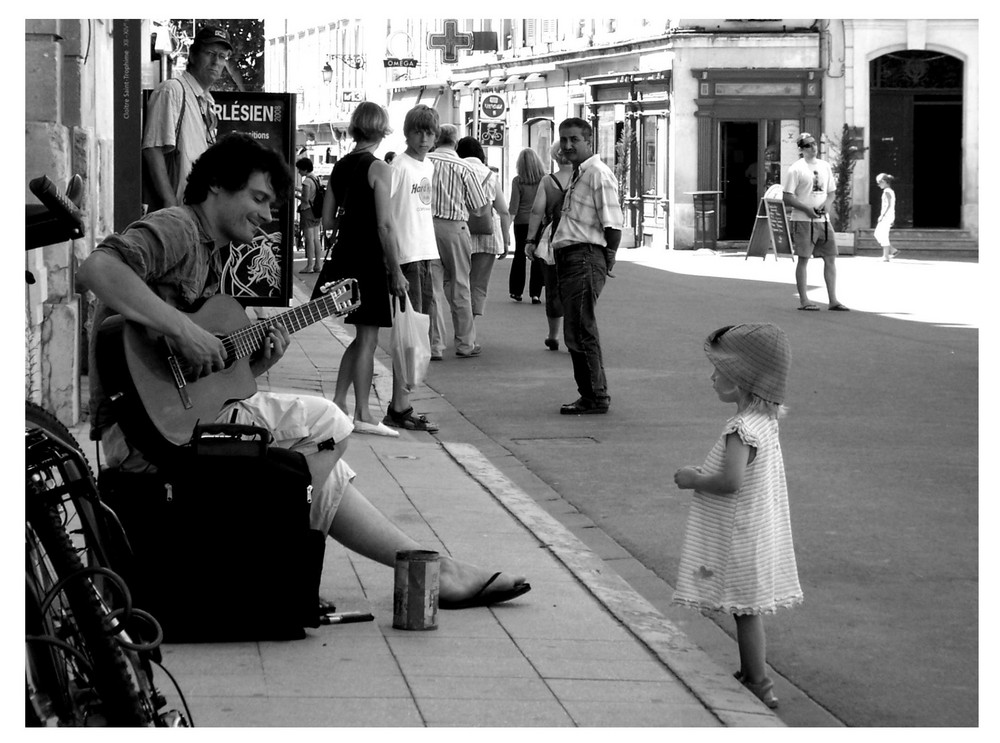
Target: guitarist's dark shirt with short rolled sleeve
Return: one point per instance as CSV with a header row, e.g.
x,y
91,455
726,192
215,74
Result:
x,y
173,253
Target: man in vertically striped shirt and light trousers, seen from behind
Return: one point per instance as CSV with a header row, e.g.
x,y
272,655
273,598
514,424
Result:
x,y
456,193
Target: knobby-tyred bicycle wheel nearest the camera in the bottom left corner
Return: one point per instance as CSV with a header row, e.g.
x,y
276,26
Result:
x,y
76,672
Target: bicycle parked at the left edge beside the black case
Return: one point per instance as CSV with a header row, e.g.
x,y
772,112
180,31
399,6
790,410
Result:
x,y
86,662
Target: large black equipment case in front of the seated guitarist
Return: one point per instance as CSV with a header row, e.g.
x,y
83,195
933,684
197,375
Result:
x,y
219,545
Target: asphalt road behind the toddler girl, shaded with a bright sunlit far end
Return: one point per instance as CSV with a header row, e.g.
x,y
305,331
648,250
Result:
x,y
881,452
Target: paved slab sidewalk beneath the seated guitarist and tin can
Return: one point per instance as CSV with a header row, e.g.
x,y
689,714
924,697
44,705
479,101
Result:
x,y
581,649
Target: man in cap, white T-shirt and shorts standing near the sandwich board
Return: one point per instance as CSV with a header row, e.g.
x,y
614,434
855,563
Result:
x,y
809,189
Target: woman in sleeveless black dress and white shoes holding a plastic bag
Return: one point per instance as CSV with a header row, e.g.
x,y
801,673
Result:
x,y
357,206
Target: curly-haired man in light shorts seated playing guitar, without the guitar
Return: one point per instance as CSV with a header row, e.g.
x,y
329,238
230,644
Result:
x,y
155,273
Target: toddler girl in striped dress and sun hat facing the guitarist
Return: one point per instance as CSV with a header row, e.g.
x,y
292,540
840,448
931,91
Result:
x,y
738,555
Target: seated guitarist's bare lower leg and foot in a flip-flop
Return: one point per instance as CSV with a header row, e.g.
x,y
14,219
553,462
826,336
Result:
x,y
362,528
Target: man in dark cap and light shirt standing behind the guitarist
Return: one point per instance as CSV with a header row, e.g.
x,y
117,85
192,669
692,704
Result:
x,y
181,121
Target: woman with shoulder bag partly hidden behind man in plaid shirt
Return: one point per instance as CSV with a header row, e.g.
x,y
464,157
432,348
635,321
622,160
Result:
x,y
545,213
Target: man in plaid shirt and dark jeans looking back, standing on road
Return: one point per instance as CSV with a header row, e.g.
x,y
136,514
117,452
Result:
x,y
584,247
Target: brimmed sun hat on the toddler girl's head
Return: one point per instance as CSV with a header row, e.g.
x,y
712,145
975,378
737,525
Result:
x,y
756,356
